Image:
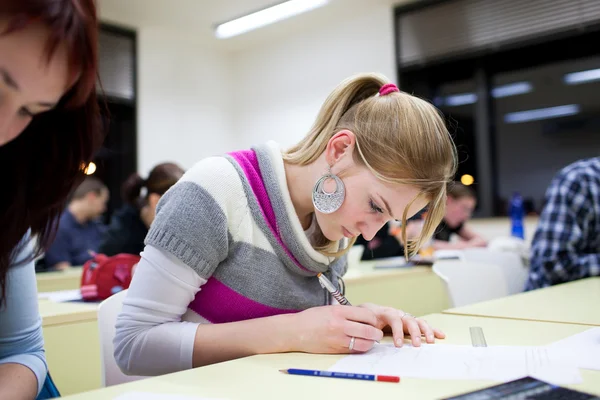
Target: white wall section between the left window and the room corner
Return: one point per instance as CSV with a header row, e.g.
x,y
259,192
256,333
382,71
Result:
x,y
184,99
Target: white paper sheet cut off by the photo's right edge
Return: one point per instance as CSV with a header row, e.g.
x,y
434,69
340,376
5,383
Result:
x,y
583,348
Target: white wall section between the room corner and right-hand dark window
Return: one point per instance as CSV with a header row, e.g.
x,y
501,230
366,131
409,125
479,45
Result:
x,y
279,86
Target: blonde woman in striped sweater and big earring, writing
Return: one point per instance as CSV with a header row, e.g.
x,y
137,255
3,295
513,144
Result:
x,y
231,260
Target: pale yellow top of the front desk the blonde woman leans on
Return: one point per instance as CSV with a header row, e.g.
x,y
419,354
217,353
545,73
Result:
x,y
238,379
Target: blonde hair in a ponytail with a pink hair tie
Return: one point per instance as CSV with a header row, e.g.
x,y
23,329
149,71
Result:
x,y
399,138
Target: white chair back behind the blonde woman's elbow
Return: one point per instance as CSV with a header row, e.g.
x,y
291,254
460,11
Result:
x,y
108,311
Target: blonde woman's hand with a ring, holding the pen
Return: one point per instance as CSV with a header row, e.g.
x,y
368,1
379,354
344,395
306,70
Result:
x,y
330,330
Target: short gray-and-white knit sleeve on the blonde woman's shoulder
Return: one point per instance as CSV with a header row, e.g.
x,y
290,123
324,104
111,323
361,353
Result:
x,y
195,219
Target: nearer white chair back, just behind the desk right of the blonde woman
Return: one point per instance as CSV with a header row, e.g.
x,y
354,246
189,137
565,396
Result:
x,y
470,282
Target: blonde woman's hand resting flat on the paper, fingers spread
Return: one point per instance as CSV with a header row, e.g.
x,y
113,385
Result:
x,y
401,323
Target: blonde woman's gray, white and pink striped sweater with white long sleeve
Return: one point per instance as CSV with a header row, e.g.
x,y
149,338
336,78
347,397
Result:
x,y
226,245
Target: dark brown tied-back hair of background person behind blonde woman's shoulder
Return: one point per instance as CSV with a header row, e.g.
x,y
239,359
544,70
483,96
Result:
x,y
160,179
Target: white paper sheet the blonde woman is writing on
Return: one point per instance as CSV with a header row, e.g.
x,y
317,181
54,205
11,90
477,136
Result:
x,y
496,363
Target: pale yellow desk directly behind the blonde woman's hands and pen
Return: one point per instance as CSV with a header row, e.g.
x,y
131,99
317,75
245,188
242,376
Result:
x,y
417,290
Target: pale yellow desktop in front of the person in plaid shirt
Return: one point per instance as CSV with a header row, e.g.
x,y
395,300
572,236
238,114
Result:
x,y
574,303
